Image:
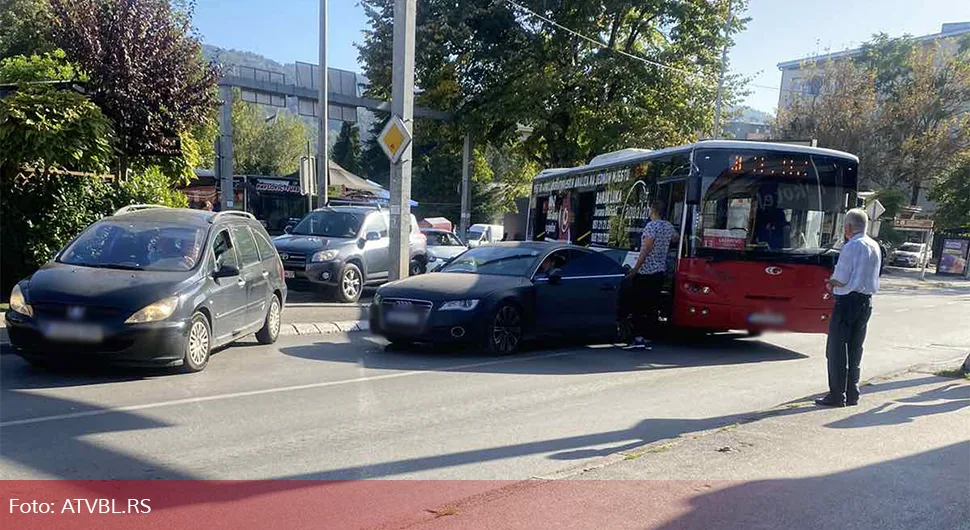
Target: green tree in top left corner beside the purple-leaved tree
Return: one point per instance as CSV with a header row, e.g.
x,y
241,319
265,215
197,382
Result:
x,y
23,27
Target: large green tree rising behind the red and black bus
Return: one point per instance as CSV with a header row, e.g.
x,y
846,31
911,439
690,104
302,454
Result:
x,y
498,68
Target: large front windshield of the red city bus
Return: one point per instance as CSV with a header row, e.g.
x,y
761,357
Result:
x,y
772,203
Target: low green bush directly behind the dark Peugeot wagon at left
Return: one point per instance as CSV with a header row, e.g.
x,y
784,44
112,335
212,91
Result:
x,y
41,212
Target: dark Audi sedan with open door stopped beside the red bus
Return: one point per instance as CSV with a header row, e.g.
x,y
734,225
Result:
x,y
496,296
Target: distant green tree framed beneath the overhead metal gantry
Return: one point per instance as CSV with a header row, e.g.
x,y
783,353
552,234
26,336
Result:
x,y
266,145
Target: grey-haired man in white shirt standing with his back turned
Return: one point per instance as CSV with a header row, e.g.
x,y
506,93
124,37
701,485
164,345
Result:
x,y
855,280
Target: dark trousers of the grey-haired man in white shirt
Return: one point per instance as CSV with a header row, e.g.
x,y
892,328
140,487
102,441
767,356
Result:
x,y
847,332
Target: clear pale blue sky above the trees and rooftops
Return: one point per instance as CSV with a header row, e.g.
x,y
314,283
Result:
x,y
780,30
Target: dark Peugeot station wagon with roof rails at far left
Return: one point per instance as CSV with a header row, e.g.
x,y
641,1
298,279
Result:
x,y
152,285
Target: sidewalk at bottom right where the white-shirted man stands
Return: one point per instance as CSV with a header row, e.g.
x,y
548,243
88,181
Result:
x,y
899,460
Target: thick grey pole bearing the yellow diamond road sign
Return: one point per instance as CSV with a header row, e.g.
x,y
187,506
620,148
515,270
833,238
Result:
x,y
402,104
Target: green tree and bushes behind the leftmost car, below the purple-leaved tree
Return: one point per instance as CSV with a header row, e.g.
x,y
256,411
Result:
x,y
55,143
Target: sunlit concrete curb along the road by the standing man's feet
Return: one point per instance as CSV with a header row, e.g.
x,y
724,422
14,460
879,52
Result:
x,y
668,443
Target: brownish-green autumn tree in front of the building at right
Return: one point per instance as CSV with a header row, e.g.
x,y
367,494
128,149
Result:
x,y
901,106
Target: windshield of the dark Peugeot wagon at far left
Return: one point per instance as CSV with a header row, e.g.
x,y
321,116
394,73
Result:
x,y
136,246
